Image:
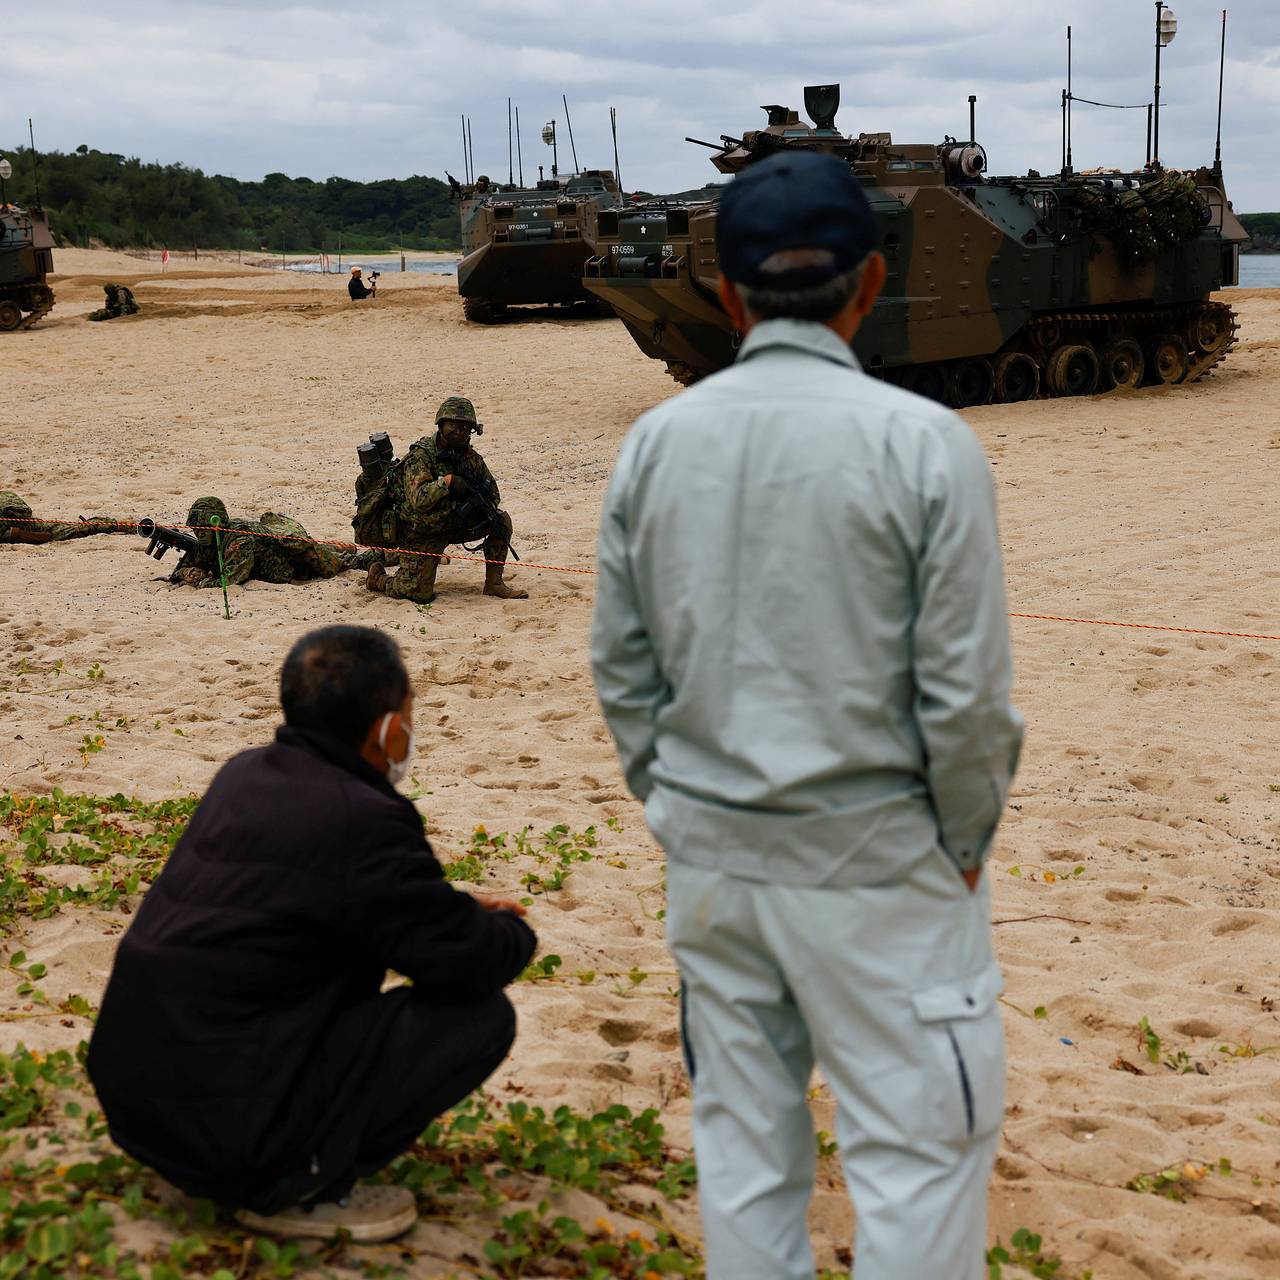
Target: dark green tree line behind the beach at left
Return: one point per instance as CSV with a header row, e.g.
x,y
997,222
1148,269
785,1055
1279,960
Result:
x,y
124,203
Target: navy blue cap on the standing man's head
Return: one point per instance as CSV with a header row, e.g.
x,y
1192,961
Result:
x,y
794,200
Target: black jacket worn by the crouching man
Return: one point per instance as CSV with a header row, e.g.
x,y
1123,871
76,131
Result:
x,y
300,881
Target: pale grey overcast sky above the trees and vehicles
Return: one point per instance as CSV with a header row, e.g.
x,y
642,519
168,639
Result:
x,y
249,88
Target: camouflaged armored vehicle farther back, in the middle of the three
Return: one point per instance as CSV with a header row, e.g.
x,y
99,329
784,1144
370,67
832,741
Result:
x,y
528,245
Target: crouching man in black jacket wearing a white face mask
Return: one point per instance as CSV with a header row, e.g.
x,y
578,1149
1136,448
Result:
x,y
245,1049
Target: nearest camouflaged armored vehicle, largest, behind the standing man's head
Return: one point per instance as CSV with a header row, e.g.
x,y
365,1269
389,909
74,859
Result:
x,y
999,289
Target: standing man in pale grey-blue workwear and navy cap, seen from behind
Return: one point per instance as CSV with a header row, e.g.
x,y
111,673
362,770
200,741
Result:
x,y
802,648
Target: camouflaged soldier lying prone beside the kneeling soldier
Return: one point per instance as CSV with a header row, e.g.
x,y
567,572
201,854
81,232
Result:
x,y
273,550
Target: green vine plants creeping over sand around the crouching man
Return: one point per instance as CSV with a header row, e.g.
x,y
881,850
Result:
x,y
491,1169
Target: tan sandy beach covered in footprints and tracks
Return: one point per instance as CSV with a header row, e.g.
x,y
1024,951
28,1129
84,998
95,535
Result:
x,y
1137,874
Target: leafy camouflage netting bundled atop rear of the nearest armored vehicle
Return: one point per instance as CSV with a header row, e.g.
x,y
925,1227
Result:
x,y
1144,222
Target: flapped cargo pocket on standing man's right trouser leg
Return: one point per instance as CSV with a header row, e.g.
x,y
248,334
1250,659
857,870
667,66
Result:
x,y
962,1021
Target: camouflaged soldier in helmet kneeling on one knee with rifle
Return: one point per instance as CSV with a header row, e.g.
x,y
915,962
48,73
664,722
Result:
x,y
442,481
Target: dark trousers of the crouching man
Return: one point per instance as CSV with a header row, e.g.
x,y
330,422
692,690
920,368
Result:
x,y
387,1069
